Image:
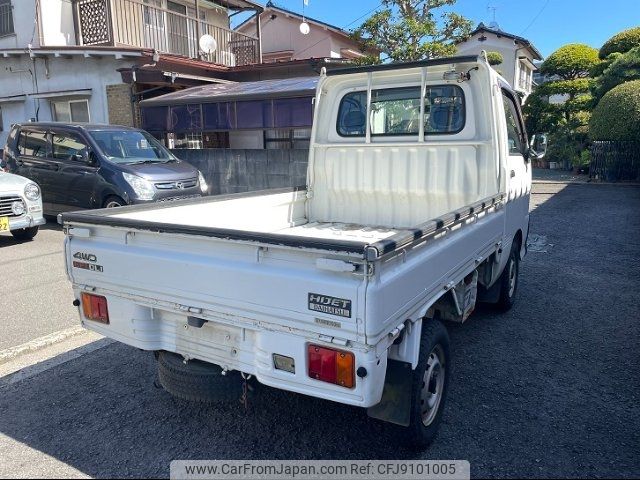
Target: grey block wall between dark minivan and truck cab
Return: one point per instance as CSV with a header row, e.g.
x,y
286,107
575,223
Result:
x,y
239,170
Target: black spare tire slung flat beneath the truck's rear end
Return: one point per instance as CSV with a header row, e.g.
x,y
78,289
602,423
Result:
x,y
197,381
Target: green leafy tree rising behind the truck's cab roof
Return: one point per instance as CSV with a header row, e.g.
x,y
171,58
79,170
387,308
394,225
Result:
x,y
405,30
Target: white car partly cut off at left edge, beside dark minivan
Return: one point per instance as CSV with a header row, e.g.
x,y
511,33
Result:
x,y
20,206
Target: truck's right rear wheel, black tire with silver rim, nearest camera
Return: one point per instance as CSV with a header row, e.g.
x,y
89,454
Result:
x,y
424,421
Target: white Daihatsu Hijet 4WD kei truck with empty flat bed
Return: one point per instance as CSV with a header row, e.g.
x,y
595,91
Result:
x,y
416,206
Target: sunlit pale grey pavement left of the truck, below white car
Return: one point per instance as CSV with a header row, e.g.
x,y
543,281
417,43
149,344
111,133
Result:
x,y
36,295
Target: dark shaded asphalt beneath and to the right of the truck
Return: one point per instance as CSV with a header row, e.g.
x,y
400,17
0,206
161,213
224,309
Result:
x,y
549,389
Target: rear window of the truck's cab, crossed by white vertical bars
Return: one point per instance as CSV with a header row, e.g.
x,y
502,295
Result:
x,y
396,111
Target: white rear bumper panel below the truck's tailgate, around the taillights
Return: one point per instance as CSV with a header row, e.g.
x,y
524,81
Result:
x,y
246,349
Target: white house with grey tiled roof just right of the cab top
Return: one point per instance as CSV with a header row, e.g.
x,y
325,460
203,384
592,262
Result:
x,y
519,55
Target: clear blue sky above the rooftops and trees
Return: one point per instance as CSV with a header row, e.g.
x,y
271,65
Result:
x,y
549,24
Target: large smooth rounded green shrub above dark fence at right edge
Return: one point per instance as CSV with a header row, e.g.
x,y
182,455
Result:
x,y
617,115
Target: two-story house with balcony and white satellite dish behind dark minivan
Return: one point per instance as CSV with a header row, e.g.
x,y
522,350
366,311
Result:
x,y
65,59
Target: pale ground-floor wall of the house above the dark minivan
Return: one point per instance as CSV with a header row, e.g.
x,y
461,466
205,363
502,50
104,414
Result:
x,y
63,74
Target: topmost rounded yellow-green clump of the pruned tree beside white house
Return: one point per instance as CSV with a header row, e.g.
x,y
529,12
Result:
x,y
571,61
